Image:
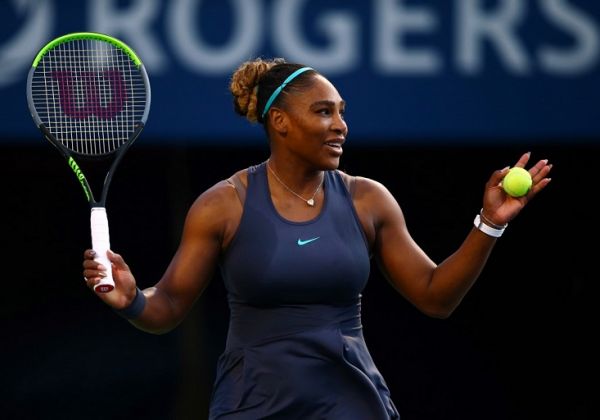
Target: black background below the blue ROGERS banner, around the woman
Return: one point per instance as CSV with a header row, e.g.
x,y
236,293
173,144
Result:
x,y
521,345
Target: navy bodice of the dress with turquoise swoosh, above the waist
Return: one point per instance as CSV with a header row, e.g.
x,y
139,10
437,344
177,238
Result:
x,y
272,260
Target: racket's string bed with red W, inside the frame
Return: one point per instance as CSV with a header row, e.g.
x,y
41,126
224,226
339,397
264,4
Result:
x,y
90,95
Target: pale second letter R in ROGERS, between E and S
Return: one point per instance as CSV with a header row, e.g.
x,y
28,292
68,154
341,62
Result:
x,y
473,27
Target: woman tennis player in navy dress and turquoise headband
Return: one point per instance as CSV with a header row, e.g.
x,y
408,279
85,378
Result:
x,y
293,237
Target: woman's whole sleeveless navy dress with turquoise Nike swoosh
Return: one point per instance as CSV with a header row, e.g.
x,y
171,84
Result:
x,y
295,348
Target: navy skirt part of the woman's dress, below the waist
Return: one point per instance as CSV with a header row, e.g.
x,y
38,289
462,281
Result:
x,y
320,369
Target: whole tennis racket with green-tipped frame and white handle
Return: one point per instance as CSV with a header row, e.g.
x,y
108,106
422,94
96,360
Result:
x,y
89,94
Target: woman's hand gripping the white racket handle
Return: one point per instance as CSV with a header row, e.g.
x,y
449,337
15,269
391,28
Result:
x,y
125,287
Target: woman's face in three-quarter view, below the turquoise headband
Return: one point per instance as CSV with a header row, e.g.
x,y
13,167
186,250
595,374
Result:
x,y
317,128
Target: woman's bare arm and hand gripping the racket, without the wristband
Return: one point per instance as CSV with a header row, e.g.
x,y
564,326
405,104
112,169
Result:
x,y
208,222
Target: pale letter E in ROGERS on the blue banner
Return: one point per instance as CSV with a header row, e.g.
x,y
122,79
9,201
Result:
x,y
392,20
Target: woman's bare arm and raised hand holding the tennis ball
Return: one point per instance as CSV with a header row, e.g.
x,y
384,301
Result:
x,y
434,289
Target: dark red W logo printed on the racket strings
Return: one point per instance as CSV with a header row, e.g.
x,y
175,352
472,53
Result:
x,y
87,94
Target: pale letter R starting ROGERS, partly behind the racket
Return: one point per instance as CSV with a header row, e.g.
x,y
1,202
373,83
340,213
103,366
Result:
x,y
133,25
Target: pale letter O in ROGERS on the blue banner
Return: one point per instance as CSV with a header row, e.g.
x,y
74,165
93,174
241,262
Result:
x,y
246,31
